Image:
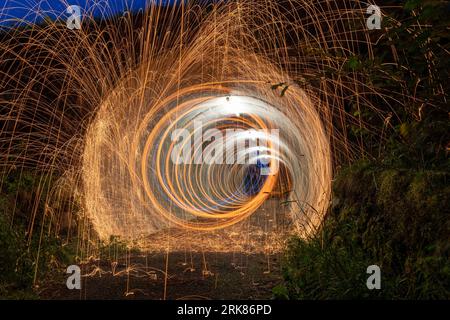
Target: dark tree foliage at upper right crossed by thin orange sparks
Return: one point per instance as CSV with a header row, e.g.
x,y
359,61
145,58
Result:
x,y
408,68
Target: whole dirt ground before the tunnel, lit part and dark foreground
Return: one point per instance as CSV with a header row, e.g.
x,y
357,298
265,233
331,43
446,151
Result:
x,y
240,262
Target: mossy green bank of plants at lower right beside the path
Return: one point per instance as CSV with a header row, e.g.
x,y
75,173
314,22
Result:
x,y
394,218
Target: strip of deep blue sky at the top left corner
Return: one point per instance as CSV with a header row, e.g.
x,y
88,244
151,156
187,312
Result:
x,y
35,10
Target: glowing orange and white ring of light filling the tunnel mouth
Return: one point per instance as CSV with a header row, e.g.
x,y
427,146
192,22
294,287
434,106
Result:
x,y
153,192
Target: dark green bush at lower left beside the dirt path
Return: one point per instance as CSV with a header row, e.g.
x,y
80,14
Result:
x,y
26,259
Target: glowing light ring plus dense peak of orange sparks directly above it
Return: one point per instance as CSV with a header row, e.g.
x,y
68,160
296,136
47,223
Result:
x,y
216,78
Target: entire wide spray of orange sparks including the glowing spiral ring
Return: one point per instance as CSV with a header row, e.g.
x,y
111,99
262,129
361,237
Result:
x,y
99,107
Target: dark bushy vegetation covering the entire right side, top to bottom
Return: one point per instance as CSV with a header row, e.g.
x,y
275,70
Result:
x,y
390,207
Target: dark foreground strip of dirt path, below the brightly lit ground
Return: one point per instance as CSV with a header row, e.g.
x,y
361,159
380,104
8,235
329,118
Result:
x,y
200,276
